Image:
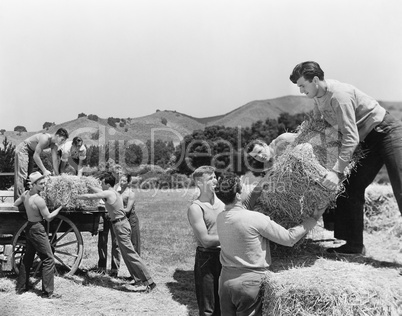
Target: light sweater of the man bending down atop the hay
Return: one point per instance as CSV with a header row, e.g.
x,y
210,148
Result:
x,y
353,113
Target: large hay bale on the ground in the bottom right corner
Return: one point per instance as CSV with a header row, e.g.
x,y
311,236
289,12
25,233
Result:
x,y
333,288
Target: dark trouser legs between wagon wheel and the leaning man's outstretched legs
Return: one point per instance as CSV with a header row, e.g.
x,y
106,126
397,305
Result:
x,y
102,247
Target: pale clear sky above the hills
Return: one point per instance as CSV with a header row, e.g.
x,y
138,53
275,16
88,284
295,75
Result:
x,y
128,58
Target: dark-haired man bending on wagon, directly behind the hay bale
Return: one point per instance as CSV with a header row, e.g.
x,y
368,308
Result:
x,y
75,152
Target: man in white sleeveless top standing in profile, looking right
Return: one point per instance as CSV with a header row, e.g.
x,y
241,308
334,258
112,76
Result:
x,y
202,217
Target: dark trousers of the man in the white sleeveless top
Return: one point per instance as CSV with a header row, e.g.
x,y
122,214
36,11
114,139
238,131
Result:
x,y
207,269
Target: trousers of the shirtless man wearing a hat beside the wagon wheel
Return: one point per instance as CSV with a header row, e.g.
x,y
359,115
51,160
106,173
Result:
x,y
37,241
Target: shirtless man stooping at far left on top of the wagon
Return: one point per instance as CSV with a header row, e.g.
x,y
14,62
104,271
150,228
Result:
x,y
29,152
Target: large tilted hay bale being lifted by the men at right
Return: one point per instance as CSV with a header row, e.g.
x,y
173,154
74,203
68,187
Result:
x,y
292,187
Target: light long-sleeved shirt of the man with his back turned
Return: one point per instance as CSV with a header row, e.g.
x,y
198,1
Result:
x,y
244,236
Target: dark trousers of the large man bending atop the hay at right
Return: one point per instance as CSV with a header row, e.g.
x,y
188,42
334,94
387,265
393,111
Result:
x,y
382,146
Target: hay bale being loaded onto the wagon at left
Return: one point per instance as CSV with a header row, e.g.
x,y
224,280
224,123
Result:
x,y
64,189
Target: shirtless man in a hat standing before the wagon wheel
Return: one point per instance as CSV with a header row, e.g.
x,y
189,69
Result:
x,y
37,240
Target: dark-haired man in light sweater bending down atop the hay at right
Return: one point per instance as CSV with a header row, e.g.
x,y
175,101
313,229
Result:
x,y
360,119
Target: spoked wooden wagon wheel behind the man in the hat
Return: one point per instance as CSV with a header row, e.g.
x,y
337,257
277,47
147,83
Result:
x,y
67,248
